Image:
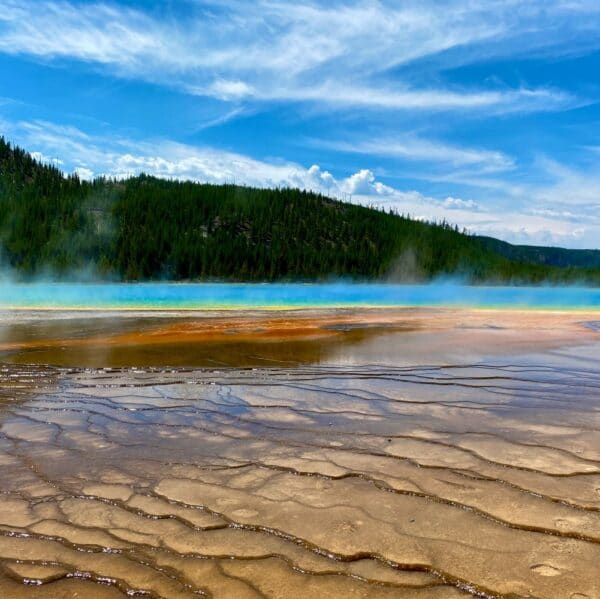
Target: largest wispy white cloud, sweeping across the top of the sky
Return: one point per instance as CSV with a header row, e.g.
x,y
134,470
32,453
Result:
x,y
331,54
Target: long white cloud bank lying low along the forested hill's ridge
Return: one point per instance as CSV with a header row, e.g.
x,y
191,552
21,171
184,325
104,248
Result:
x,y
534,215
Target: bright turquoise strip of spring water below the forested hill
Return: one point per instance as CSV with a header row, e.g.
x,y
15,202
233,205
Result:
x,y
175,296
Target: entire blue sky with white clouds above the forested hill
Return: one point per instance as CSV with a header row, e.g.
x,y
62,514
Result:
x,y
484,113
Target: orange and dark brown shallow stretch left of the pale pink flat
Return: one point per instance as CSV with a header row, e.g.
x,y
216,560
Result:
x,y
259,340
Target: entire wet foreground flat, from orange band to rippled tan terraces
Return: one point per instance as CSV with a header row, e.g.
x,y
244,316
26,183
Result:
x,y
350,454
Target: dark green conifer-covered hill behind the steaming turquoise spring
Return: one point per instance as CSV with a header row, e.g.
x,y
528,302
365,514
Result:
x,y
147,228
